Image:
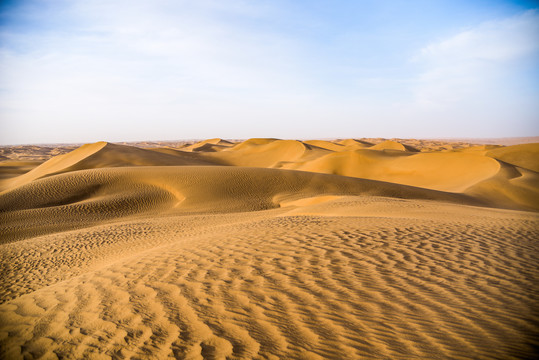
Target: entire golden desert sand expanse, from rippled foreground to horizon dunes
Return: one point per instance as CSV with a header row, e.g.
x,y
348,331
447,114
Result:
x,y
270,249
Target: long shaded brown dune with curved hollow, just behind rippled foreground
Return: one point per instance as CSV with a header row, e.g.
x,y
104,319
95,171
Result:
x,y
77,198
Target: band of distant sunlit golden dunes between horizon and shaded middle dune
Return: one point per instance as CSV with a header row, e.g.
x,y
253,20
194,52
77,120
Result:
x,y
472,170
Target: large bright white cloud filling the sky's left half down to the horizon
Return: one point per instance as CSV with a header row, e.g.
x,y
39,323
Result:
x,y
170,62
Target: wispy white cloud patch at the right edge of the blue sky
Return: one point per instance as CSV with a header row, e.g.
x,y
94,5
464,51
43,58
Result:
x,y
471,63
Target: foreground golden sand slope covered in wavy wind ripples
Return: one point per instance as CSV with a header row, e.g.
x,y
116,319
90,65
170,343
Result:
x,y
436,281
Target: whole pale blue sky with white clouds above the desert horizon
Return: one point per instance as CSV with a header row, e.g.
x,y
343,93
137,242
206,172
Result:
x,y
82,71
